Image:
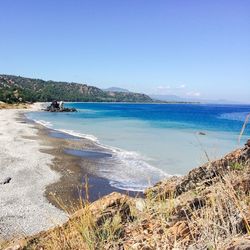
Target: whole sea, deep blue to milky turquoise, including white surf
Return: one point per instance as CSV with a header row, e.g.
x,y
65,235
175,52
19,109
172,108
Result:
x,y
151,141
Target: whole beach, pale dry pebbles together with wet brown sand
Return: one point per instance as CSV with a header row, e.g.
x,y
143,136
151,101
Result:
x,y
44,179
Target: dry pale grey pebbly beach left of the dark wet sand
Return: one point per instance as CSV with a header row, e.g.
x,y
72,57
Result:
x,y
24,210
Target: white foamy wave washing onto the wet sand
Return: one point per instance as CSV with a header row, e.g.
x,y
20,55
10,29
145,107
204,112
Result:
x,y
127,170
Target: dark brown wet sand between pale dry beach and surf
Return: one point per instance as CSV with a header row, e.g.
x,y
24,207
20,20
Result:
x,y
76,160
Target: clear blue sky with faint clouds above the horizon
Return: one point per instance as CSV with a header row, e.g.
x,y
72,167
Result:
x,y
194,48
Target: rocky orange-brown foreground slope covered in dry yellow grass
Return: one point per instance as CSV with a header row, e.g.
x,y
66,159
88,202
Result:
x,y
209,208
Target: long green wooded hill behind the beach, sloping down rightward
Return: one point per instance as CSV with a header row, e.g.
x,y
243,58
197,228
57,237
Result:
x,y
22,89
